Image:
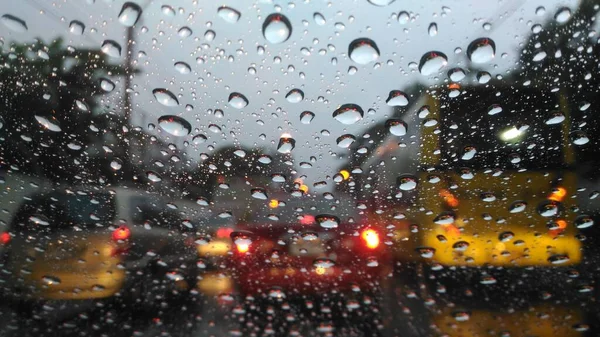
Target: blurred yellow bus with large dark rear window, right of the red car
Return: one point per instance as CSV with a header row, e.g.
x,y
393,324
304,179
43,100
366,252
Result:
x,y
495,179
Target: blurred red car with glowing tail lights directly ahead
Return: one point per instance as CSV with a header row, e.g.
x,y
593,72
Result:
x,y
301,260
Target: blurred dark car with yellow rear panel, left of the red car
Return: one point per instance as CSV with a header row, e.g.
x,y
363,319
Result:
x,y
81,244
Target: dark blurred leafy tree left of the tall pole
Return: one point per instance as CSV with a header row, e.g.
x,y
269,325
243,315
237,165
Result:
x,y
49,108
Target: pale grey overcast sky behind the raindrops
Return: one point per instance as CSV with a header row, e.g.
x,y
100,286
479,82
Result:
x,y
234,50
